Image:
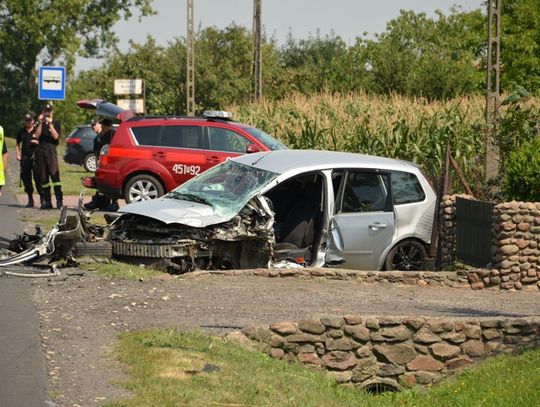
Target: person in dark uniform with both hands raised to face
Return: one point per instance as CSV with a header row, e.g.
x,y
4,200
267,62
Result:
x,y
48,133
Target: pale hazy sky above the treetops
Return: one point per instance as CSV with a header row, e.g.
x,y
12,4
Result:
x,y
347,18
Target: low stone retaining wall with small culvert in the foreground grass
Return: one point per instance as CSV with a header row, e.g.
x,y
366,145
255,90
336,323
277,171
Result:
x,y
394,351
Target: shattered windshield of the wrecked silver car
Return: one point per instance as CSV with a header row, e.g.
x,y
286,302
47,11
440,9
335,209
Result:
x,y
227,187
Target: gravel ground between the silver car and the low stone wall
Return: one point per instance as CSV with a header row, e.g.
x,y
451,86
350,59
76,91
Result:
x,y
81,317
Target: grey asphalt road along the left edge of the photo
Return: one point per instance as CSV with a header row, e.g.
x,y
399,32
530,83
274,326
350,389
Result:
x,y
22,367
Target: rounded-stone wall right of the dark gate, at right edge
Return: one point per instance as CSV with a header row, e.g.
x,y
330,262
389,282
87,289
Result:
x,y
516,241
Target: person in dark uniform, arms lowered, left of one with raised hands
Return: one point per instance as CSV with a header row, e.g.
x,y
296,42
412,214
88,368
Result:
x,y
26,153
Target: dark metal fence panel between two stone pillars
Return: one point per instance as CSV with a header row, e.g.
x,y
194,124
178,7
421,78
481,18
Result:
x,y
473,231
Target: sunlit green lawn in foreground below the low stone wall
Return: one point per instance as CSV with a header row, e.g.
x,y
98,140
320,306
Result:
x,y
159,365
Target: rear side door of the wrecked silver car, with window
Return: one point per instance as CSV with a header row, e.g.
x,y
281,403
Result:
x,y
364,222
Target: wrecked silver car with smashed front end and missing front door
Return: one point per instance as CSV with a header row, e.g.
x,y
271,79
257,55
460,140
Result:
x,y
308,208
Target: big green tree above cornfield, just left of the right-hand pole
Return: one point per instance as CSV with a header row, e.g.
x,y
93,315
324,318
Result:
x,y
434,58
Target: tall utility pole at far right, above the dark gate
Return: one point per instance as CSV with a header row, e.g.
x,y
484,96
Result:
x,y
492,87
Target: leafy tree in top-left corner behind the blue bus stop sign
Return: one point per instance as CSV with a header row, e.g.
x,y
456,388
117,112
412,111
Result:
x,y
46,32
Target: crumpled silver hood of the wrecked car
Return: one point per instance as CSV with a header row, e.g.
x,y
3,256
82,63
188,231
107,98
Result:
x,y
169,211
